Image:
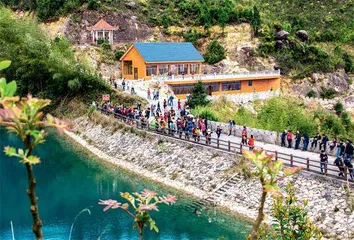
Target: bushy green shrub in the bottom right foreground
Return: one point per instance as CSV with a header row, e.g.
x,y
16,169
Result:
x,y
291,220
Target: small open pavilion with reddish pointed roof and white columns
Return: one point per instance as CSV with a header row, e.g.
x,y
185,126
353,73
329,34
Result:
x,y
102,30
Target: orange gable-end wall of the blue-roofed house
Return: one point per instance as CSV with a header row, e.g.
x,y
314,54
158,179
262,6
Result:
x,y
138,62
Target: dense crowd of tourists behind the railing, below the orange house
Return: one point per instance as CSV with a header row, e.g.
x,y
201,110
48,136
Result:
x,y
166,120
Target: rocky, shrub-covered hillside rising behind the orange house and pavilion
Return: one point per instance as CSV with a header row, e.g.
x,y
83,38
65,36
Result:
x,y
311,41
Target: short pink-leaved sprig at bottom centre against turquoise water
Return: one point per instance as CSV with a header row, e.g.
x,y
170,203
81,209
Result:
x,y
142,203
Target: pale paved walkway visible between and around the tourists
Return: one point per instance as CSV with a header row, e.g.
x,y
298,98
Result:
x,y
298,155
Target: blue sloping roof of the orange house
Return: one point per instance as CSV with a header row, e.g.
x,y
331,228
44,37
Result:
x,y
168,52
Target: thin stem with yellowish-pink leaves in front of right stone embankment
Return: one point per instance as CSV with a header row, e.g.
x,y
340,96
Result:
x,y
269,173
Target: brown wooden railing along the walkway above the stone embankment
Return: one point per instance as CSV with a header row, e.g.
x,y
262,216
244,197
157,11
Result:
x,y
307,164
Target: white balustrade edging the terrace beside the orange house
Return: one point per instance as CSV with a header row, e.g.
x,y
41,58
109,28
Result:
x,y
216,76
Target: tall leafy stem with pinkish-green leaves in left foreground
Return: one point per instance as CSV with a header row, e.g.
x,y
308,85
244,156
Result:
x,y
24,117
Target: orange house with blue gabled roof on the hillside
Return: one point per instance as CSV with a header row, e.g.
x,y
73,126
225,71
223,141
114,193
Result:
x,y
146,60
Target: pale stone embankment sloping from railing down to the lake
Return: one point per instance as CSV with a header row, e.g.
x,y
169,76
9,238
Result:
x,y
200,171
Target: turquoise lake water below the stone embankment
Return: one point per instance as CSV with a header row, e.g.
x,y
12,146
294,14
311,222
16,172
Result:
x,y
69,180
